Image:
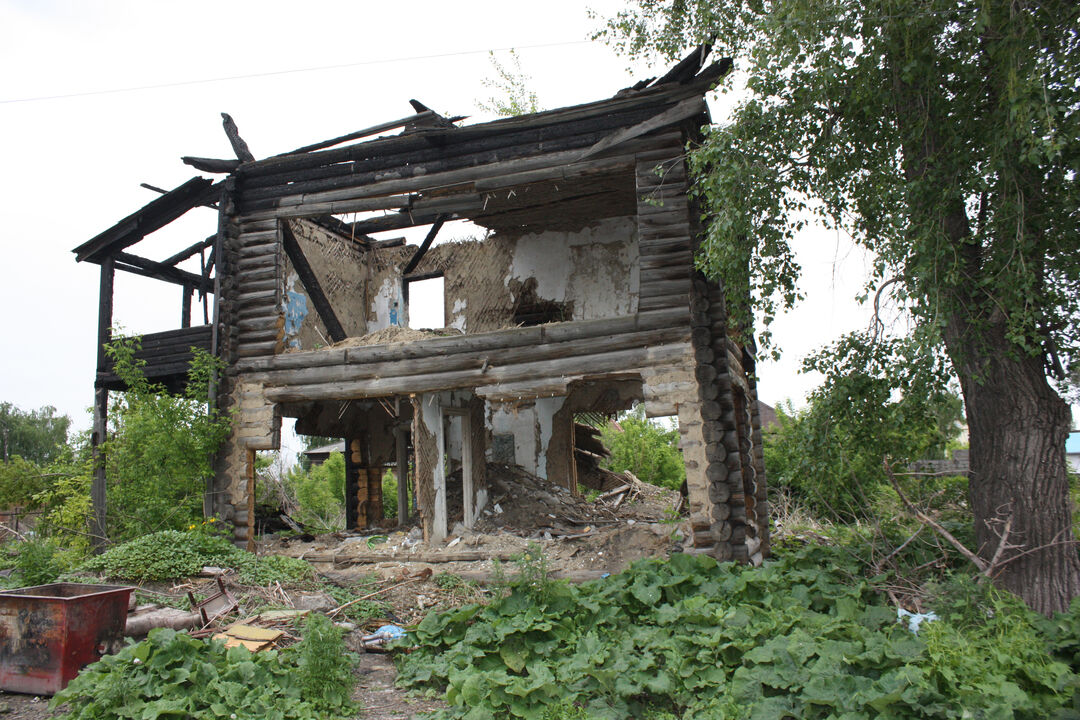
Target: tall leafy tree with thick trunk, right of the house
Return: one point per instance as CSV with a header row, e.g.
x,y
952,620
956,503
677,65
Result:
x,y
944,137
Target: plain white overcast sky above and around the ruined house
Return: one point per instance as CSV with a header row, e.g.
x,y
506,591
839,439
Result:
x,y
73,166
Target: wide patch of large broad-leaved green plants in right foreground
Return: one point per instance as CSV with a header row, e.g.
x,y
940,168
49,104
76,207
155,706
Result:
x,y
802,637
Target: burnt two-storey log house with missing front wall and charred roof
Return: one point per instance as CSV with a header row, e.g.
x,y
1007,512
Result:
x,y
577,294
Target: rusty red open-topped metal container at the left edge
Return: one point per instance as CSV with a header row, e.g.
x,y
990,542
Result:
x,y
49,633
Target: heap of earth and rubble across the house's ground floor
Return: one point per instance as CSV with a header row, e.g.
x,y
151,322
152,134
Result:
x,y
580,539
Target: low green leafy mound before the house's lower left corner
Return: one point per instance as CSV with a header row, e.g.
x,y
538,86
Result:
x,y
172,554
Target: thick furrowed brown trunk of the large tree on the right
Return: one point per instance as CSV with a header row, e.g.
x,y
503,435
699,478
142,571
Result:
x,y
1018,426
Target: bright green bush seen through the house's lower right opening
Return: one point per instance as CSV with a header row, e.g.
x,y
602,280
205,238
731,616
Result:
x,y
646,450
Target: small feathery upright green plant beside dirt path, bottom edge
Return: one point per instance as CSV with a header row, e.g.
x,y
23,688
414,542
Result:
x,y
326,669
